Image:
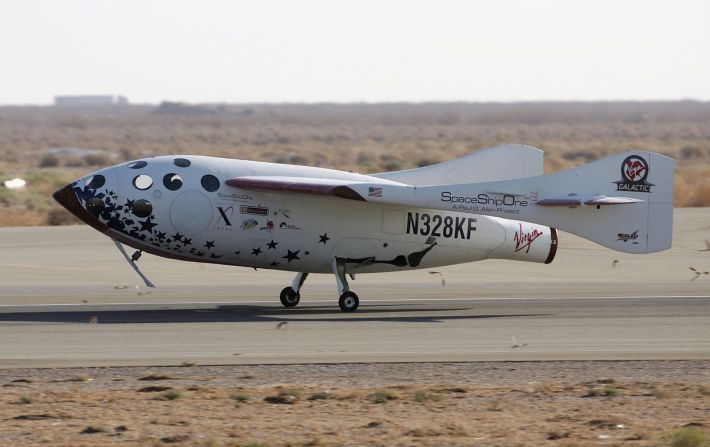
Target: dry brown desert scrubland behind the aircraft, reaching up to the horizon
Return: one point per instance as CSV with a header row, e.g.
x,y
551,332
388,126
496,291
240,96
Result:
x,y
359,137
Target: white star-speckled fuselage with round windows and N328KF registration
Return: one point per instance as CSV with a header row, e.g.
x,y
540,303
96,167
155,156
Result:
x,y
181,207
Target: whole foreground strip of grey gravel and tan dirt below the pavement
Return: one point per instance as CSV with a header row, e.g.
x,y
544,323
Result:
x,y
631,403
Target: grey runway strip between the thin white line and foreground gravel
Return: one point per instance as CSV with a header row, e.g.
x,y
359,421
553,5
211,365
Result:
x,y
383,331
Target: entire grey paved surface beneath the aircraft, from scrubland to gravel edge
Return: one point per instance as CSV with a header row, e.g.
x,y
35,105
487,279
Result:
x,y
67,298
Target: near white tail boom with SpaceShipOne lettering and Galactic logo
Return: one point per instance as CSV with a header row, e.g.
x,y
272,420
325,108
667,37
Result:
x,y
624,202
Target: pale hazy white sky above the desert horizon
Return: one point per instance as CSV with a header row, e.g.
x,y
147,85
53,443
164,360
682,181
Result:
x,y
360,50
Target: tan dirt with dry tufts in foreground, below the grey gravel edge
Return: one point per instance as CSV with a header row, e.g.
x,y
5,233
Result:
x,y
486,415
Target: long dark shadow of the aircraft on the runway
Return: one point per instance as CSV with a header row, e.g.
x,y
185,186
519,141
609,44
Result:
x,y
250,314
